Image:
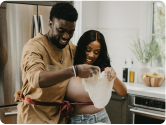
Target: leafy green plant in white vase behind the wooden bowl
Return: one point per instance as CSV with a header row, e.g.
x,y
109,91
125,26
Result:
x,y
144,54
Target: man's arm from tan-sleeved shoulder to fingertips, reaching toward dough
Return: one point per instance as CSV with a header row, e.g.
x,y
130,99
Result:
x,y
33,66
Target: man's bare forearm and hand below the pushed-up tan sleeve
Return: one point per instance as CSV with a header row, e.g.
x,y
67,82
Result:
x,y
50,78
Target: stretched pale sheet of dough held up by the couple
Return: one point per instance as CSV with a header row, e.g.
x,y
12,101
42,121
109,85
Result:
x,y
99,89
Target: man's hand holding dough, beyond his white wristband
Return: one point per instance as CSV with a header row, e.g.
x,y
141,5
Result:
x,y
85,70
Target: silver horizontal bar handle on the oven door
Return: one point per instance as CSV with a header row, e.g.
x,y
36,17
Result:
x,y
149,113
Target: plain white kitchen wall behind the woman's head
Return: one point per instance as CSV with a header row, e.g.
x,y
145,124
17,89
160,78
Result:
x,y
121,21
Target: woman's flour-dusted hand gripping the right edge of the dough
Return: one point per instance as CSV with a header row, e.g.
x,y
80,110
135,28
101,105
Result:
x,y
110,72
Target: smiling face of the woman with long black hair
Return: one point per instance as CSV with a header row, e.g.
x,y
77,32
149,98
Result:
x,y
92,52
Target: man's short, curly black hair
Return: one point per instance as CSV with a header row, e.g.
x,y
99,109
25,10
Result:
x,y
64,11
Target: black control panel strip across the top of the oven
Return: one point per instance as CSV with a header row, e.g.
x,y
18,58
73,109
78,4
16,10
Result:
x,y
150,103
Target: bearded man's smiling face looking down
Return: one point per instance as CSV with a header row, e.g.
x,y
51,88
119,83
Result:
x,y
62,32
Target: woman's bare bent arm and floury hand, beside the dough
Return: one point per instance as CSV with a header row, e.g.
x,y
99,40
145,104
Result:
x,y
118,85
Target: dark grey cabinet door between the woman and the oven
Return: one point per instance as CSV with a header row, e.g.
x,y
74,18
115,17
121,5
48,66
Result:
x,y
117,109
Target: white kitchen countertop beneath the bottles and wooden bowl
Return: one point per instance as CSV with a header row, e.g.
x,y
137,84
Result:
x,y
143,90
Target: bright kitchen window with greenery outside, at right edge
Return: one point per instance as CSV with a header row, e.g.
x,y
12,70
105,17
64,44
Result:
x,y
159,33
